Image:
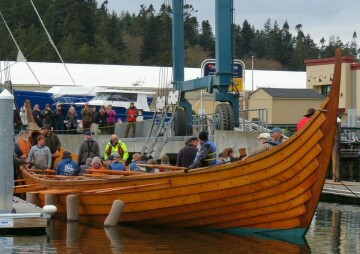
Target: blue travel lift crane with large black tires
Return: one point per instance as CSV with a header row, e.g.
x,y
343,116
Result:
x,y
226,114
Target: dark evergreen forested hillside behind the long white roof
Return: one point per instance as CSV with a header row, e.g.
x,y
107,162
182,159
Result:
x,y
86,32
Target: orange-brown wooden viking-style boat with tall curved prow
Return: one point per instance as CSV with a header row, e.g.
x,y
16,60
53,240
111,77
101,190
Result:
x,y
273,193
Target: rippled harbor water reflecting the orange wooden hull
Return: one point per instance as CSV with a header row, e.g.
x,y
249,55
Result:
x,y
334,229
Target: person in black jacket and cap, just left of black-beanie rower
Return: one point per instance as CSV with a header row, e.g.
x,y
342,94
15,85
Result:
x,y
187,154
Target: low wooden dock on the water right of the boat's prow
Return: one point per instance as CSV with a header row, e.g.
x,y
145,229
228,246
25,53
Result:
x,y
343,192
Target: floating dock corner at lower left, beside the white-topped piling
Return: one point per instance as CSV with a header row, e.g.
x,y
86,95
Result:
x,y
24,216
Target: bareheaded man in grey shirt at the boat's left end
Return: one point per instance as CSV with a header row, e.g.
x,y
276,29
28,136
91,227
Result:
x,y
40,155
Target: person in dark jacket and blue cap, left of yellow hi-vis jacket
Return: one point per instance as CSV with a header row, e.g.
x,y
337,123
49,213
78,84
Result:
x,y
88,149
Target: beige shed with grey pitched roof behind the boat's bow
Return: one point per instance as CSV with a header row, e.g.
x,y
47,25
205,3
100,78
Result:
x,y
283,105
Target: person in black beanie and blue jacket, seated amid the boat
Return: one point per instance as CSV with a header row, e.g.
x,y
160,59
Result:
x,y
206,156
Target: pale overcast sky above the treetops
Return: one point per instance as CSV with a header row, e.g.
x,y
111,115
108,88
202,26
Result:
x,y
319,18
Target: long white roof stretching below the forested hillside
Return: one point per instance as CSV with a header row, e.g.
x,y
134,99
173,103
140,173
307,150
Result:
x,y
127,76
